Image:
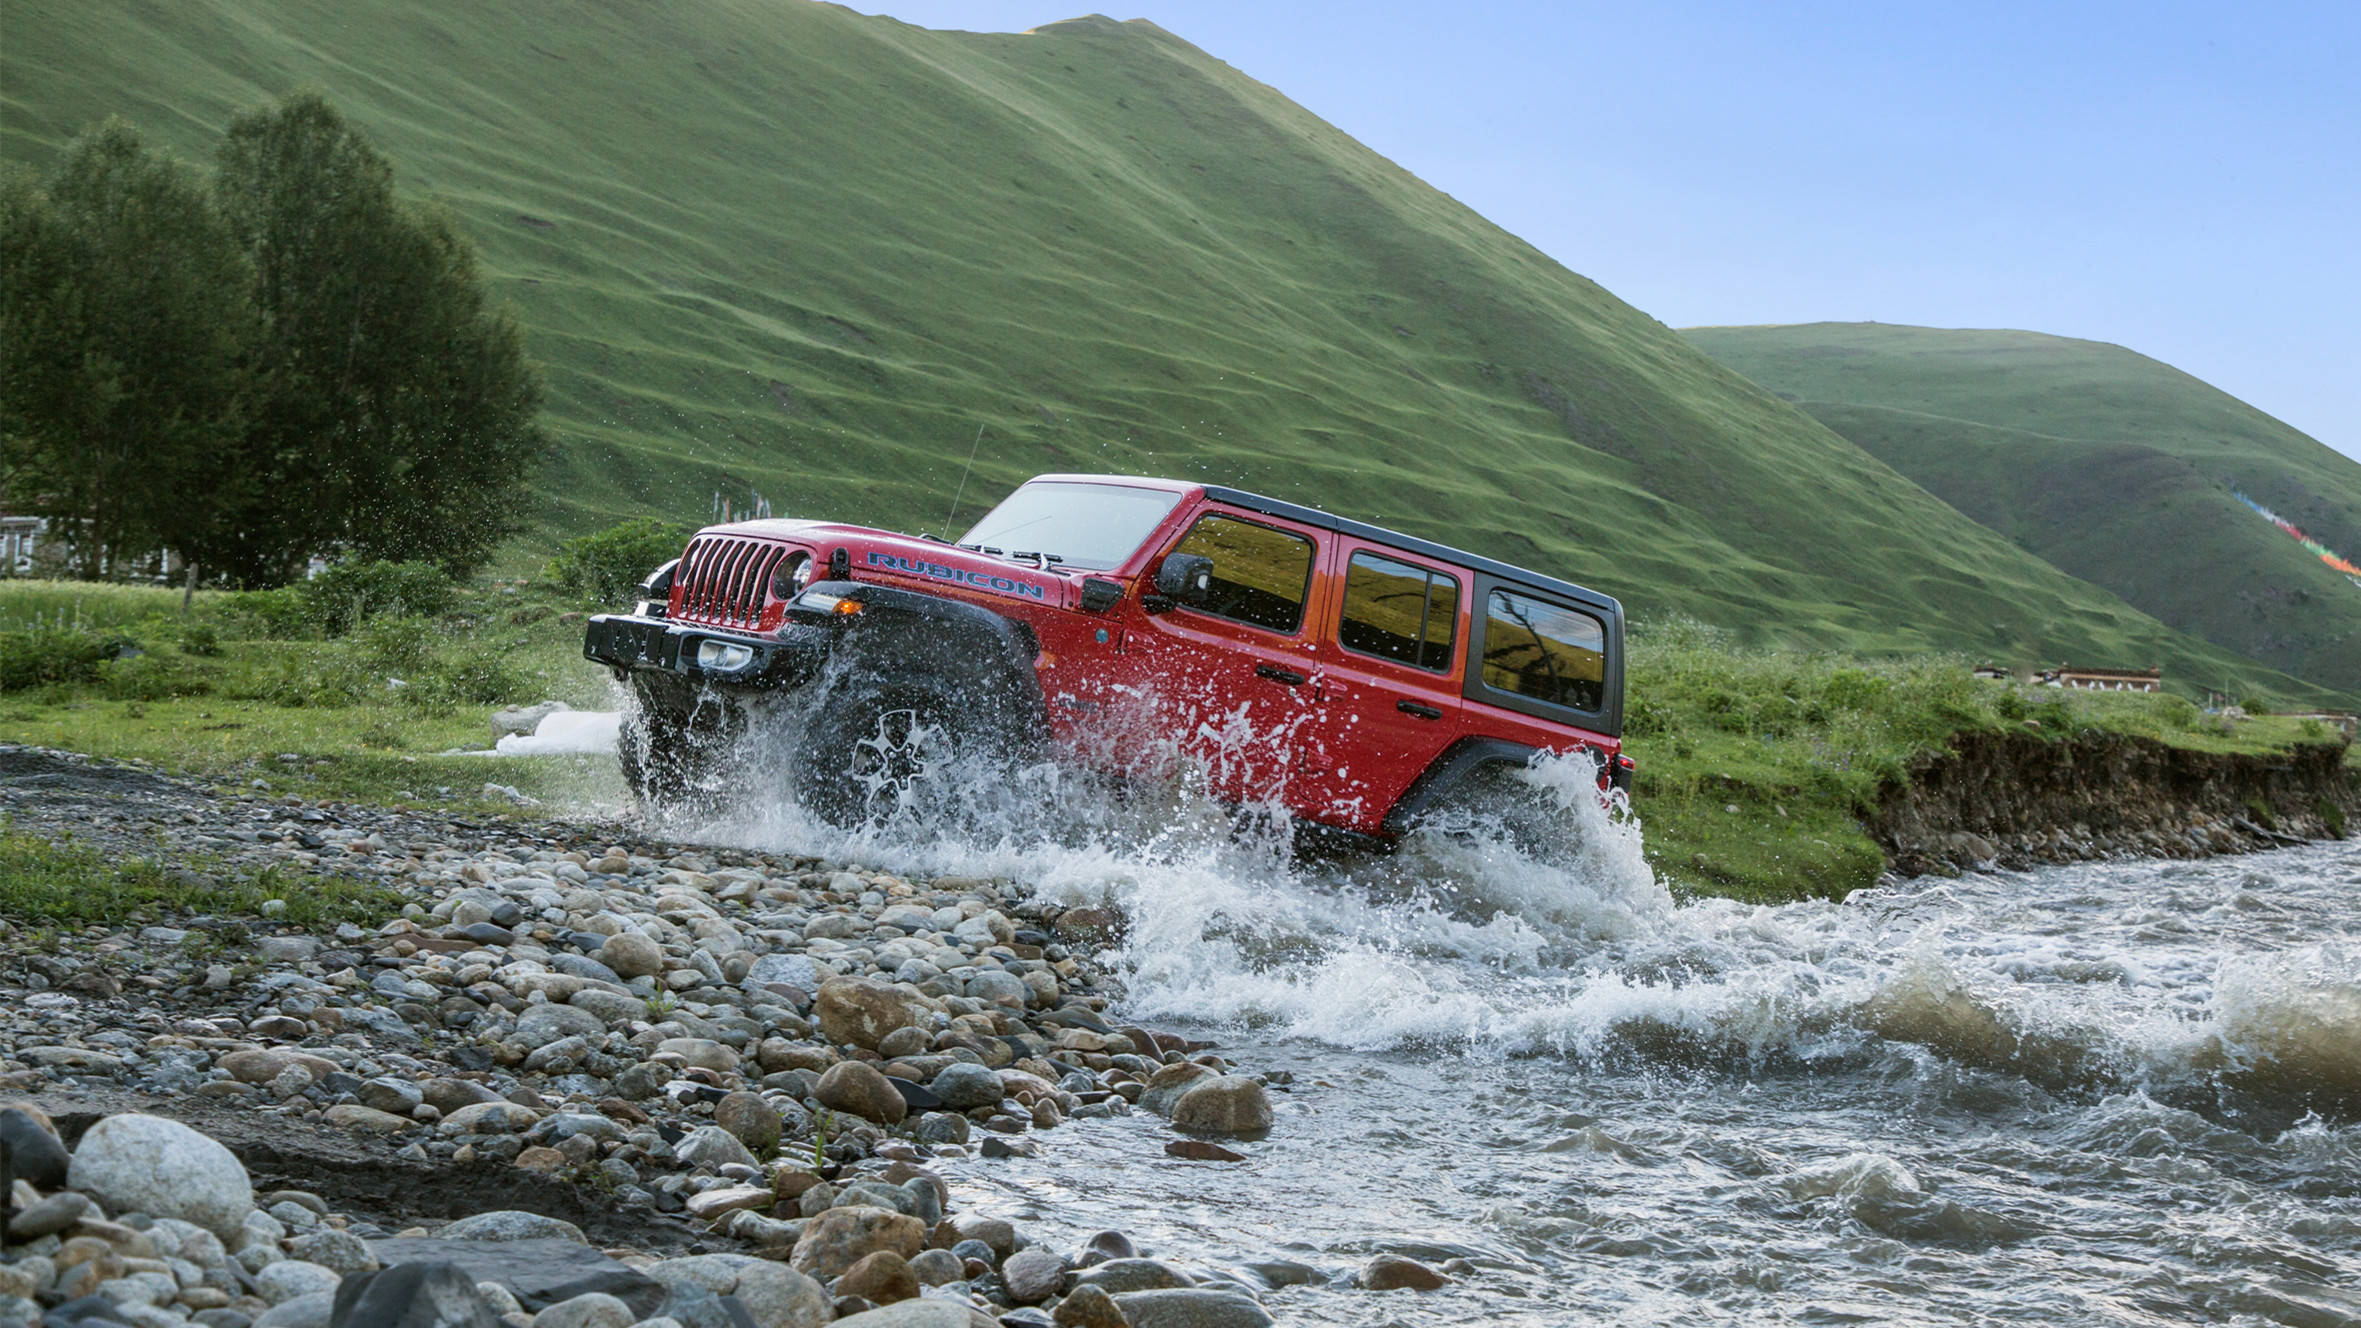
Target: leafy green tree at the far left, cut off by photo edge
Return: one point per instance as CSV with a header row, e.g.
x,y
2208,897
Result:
x,y
124,337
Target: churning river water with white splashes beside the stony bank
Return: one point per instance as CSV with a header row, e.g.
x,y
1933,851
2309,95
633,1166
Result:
x,y
2117,1093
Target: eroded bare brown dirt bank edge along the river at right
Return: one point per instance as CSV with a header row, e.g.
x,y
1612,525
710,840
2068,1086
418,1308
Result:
x,y
2020,800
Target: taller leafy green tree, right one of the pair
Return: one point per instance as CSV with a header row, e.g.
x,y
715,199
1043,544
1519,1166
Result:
x,y
395,408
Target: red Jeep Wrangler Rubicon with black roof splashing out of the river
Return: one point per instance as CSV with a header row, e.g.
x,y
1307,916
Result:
x,y
1347,672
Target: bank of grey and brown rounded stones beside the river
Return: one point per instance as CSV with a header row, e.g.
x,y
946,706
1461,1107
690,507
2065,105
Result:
x,y
582,1079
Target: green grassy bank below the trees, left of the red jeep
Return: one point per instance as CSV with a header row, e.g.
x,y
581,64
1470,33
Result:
x,y
242,691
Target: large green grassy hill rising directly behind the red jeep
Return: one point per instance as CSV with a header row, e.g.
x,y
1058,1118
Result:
x,y
787,249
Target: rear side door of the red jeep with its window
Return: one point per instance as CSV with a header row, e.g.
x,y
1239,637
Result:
x,y
1392,658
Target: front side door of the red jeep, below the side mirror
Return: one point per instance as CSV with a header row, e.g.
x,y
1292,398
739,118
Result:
x,y
1231,682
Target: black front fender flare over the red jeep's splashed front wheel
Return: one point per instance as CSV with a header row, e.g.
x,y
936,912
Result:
x,y
967,656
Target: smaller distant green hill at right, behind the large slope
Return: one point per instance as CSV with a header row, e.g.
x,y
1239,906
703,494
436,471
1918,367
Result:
x,y
2105,462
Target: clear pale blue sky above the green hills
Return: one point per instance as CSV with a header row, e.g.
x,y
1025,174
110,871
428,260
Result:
x,y
2176,178
